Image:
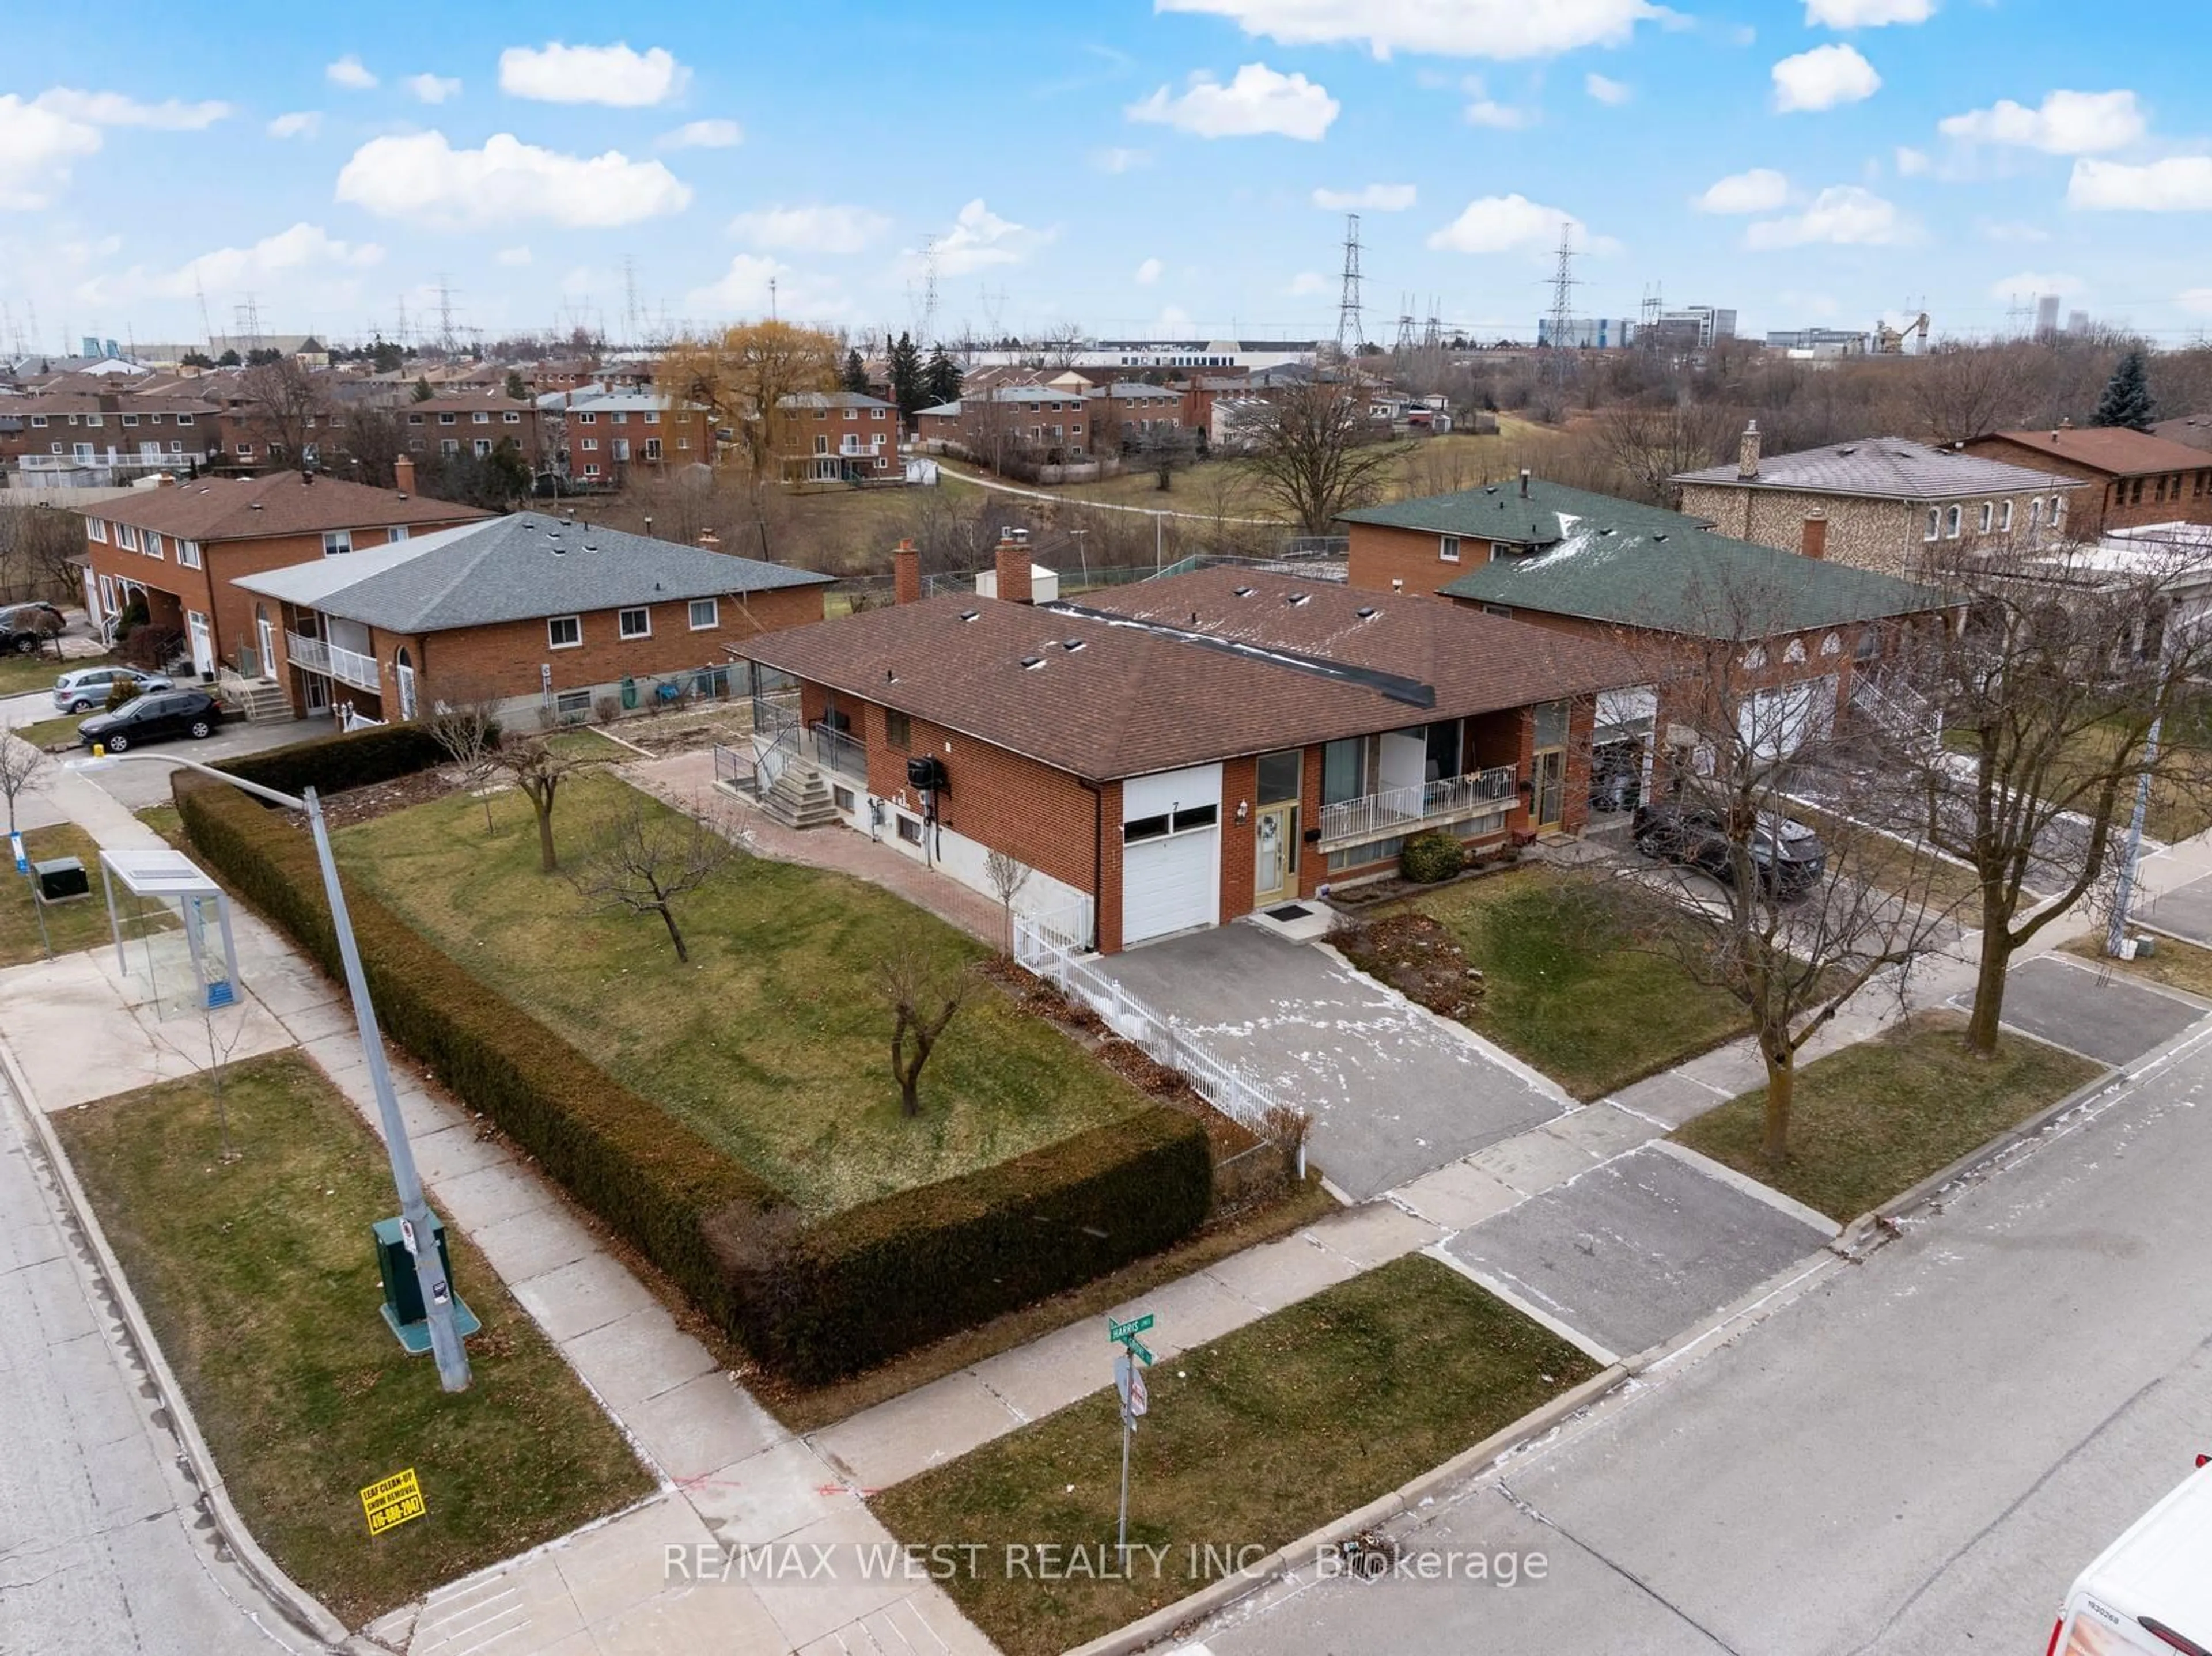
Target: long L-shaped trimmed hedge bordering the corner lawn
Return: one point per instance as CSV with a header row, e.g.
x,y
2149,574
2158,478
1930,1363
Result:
x,y
817,1301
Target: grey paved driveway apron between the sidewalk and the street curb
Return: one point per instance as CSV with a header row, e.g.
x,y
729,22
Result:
x,y
1636,1250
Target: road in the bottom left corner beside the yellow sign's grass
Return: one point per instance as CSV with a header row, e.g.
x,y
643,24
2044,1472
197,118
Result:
x,y
103,1547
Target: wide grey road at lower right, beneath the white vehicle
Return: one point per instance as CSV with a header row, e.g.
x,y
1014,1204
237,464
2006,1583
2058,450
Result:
x,y
1914,1456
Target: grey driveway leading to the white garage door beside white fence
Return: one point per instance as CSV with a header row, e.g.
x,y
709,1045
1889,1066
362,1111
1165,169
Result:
x,y
1395,1091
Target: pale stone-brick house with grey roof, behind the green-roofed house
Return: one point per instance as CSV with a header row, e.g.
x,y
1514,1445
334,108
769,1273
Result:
x,y
1888,501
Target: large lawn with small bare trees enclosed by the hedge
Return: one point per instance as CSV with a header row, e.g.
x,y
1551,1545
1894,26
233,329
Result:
x,y
773,1042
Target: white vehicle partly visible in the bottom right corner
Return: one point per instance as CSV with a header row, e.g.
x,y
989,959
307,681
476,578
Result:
x,y
2153,1589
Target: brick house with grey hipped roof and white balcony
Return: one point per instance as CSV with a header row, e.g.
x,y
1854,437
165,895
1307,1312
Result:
x,y
547,616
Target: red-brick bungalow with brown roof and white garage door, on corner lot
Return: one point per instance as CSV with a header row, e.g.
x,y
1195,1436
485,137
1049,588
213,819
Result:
x,y
1185,751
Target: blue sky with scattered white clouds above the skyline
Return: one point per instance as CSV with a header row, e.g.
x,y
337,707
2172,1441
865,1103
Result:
x,y
1129,169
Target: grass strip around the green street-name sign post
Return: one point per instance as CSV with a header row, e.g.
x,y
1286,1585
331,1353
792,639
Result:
x,y
1253,1443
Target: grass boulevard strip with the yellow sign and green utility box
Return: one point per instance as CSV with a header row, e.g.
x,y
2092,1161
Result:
x,y
262,1288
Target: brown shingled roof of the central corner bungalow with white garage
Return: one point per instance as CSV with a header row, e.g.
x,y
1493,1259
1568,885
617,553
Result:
x,y
1145,689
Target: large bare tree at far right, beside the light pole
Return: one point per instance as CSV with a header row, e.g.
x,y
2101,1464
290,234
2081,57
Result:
x,y
2052,693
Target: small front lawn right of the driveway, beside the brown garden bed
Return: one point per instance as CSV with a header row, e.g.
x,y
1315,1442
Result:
x,y
1565,994
